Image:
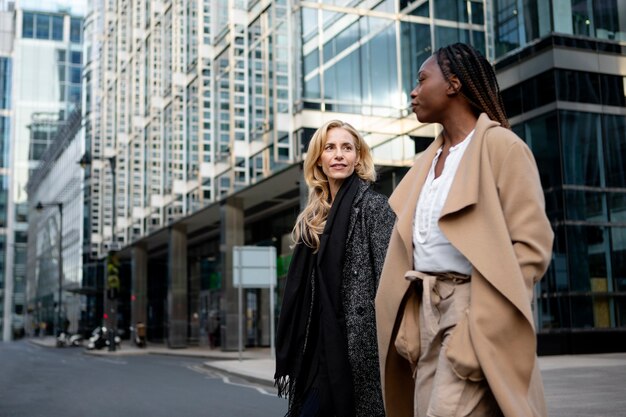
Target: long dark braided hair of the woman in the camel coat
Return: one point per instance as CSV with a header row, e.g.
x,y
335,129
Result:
x,y
478,79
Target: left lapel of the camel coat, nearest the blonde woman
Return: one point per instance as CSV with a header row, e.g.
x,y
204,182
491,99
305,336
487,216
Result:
x,y
403,201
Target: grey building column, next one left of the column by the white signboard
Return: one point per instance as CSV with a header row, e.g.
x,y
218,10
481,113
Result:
x,y
177,288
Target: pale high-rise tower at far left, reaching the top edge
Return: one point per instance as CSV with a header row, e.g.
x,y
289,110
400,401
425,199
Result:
x,y
46,77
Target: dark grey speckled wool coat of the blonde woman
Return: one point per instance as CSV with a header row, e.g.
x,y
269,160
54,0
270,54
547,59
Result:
x,y
369,229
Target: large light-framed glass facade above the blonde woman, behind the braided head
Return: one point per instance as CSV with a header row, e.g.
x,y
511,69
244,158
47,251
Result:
x,y
357,62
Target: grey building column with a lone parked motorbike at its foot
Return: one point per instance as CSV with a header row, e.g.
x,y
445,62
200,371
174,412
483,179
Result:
x,y
139,286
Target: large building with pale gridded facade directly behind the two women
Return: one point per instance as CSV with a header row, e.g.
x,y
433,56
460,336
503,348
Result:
x,y
199,115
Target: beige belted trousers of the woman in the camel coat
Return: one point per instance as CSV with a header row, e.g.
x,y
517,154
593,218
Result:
x,y
439,392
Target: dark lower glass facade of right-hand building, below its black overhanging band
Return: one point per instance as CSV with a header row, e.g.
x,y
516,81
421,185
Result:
x,y
582,171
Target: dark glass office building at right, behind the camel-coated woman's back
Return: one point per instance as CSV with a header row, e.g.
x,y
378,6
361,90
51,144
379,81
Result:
x,y
561,68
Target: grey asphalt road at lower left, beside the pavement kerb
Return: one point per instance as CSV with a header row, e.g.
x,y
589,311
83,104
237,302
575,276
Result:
x,y
37,381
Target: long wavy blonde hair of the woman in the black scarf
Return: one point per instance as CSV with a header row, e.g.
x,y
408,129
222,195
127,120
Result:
x,y
311,221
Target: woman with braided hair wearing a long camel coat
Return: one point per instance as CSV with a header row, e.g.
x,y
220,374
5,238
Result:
x,y
453,310
